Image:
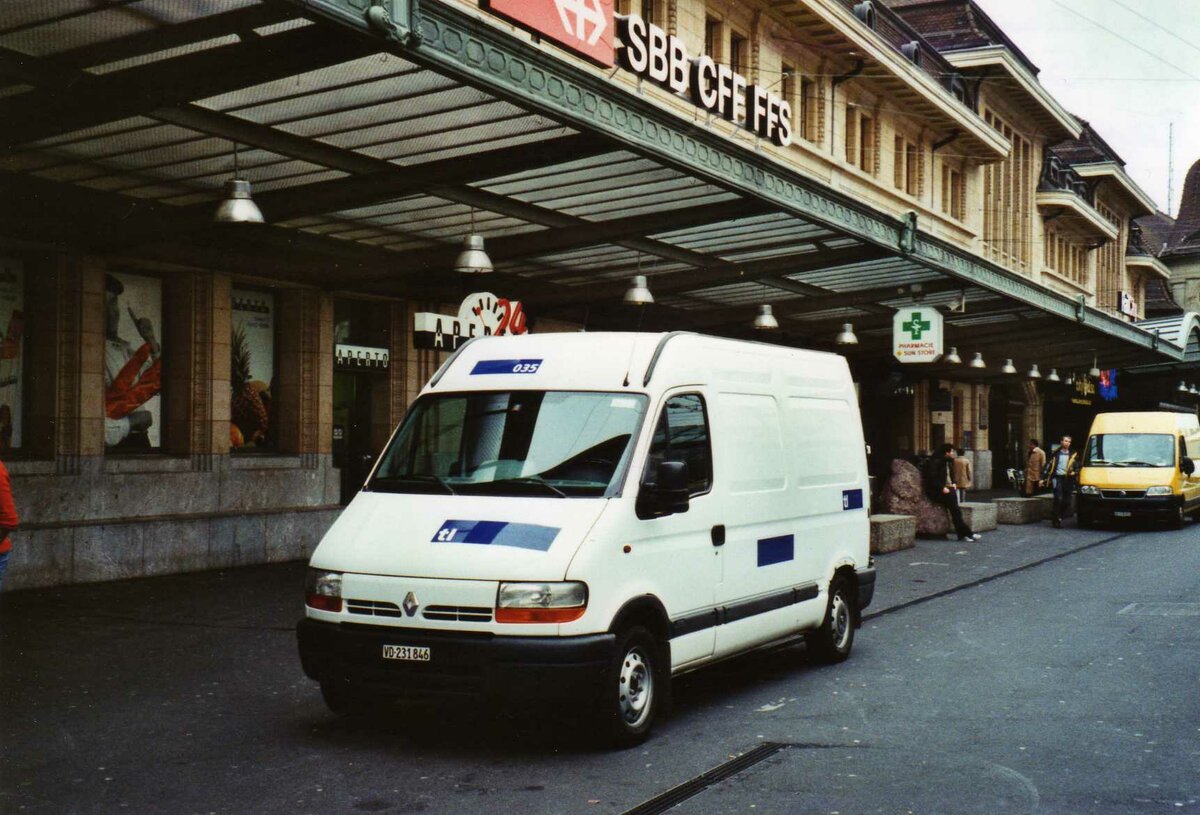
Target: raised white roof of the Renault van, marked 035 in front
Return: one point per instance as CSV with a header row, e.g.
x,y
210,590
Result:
x,y
617,362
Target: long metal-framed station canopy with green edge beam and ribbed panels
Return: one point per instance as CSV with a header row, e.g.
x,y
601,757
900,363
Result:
x,y
373,155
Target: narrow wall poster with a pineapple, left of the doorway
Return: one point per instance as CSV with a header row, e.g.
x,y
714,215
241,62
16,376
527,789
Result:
x,y
251,427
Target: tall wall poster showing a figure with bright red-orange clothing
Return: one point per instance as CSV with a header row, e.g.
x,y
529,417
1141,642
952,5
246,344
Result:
x,y
133,363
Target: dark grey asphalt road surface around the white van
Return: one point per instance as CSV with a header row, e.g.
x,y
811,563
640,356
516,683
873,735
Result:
x,y
1039,672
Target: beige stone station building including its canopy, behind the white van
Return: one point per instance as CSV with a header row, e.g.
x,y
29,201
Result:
x,y
188,395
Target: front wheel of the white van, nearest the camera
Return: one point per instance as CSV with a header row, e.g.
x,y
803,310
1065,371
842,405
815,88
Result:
x,y
635,688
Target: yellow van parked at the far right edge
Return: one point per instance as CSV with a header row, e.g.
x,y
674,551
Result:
x,y
1139,466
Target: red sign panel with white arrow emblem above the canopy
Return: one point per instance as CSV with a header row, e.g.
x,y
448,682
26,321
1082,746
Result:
x,y
585,27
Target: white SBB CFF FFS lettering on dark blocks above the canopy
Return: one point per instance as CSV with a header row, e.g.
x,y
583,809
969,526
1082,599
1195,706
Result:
x,y
651,52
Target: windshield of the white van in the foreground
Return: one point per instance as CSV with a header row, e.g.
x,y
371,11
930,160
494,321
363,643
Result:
x,y
562,445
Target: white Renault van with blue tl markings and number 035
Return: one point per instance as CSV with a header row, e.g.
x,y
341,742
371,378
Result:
x,y
585,516
